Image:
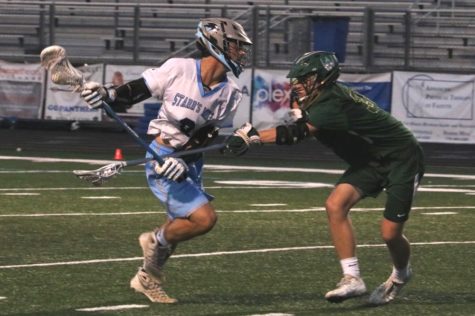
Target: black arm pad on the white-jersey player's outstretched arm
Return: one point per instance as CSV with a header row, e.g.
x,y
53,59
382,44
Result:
x,y
130,93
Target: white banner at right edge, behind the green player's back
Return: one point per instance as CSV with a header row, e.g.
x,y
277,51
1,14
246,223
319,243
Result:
x,y
437,108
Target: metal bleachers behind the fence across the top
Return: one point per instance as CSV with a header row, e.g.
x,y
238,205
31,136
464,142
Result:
x,y
430,35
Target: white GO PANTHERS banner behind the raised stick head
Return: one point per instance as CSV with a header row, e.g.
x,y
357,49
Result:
x,y
62,103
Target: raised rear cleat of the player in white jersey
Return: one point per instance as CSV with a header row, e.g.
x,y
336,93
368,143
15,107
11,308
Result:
x,y
155,255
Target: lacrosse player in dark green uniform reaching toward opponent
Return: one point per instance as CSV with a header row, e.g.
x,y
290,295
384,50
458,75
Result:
x,y
381,153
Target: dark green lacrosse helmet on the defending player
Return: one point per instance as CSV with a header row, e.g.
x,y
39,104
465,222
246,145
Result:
x,y
323,64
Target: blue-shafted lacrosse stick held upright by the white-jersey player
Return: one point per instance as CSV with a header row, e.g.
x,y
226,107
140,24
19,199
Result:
x,y
55,60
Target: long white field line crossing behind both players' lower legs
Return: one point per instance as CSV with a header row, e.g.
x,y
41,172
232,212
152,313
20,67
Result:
x,y
222,253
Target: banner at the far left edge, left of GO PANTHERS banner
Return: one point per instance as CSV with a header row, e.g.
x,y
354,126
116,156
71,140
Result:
x,y
21,92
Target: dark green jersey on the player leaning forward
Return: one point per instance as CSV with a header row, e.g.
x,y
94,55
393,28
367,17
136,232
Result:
x,y
355,128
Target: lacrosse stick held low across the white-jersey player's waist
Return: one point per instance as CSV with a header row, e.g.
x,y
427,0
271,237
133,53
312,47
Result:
x,y
99,176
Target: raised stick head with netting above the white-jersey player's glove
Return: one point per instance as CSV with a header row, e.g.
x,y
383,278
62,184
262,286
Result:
x,y
55,60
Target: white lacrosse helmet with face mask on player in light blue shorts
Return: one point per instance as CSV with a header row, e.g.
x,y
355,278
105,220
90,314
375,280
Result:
x,y
215,34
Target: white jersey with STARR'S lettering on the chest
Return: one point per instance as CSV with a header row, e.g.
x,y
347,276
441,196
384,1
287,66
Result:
x,y
186,106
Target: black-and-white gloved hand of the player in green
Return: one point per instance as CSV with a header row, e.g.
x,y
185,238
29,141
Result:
x,y
242,139
